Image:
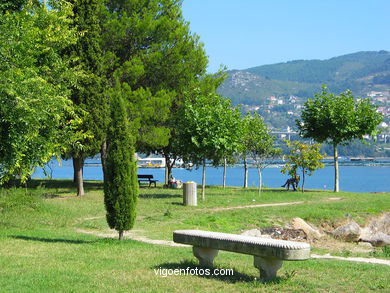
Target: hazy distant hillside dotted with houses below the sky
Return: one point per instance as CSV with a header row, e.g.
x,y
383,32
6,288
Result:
x,y
359,72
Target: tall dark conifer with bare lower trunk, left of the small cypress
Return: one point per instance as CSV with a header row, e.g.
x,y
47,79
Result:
x,y
88,93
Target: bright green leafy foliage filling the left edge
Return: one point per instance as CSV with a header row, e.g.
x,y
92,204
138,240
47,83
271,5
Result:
x,y
36,116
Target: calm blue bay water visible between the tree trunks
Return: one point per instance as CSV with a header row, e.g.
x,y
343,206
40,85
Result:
x,y
352,178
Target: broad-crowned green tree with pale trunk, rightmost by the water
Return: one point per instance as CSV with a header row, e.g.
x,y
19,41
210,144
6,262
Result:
x,y
338,119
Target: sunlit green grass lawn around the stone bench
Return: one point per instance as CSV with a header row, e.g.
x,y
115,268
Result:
x,y
43,250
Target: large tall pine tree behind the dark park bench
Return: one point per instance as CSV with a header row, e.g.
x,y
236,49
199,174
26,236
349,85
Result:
x,y
157,60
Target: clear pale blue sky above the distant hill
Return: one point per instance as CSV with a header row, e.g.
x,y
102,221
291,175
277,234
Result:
x,y
246,33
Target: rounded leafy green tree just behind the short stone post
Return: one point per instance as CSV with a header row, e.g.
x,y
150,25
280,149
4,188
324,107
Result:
x,y
209,129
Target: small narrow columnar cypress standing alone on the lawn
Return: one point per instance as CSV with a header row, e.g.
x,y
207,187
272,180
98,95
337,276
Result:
x,y
120,178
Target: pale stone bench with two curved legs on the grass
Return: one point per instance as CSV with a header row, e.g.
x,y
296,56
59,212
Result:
x,y
269,254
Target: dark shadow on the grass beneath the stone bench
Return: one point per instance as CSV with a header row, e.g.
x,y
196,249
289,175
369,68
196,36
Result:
x,y
190,268
